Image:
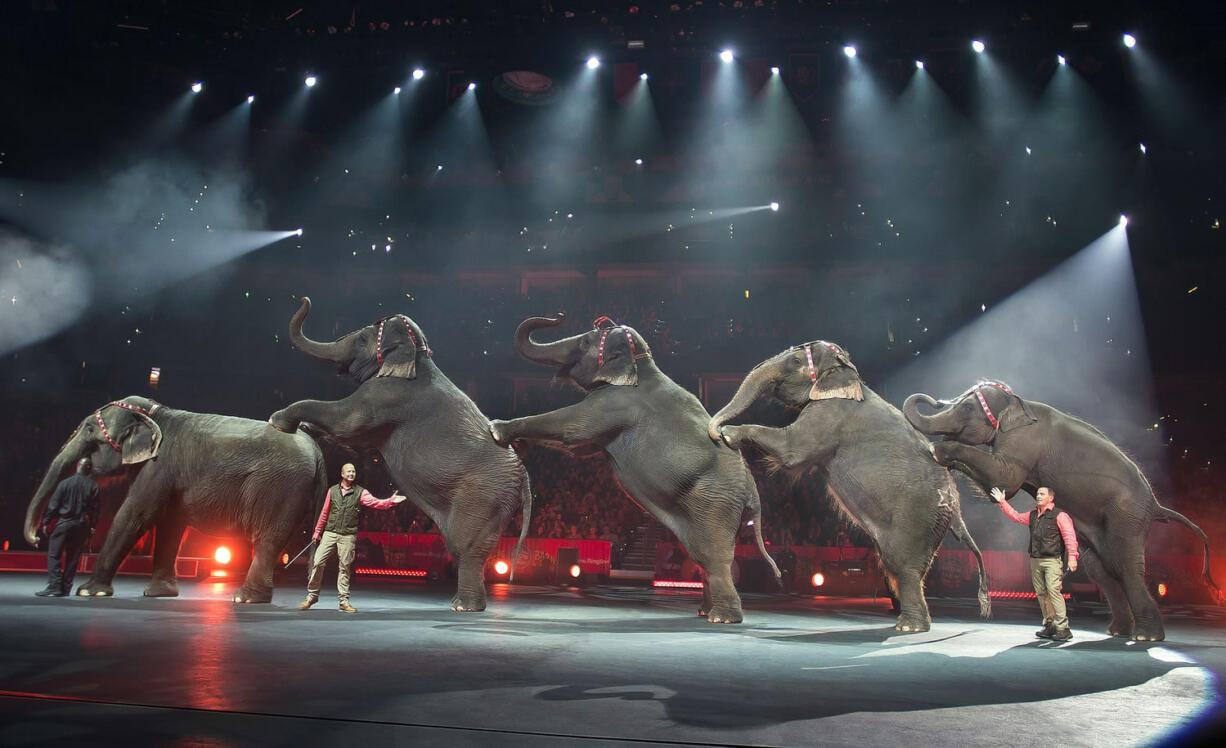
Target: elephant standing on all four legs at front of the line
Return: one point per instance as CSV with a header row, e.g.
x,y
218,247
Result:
x,y
219,474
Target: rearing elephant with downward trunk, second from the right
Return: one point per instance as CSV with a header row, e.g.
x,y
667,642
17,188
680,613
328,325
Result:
x,y
877,468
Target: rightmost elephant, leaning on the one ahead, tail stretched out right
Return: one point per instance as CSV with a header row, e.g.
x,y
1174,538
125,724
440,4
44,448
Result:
x,y
1032,446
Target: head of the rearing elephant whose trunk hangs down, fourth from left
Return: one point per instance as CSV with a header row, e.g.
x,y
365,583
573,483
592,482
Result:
x,y
798,377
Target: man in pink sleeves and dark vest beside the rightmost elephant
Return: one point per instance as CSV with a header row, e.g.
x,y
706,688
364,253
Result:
x,y
1051,539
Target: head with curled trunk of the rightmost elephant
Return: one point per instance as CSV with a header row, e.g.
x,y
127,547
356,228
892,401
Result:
x,y
974,418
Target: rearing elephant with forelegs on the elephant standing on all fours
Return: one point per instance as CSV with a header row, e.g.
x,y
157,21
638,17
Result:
x,y
432,437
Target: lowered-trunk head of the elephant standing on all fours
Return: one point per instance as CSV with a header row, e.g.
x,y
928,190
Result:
x,y
118,435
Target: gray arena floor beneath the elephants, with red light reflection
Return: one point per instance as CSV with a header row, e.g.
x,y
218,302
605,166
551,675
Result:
x,y
600,666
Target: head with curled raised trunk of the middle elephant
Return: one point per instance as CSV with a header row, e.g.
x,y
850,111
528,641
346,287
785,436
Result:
x,y
607,354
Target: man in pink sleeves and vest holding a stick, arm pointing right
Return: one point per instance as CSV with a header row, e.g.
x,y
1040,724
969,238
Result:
x,y
338,534
